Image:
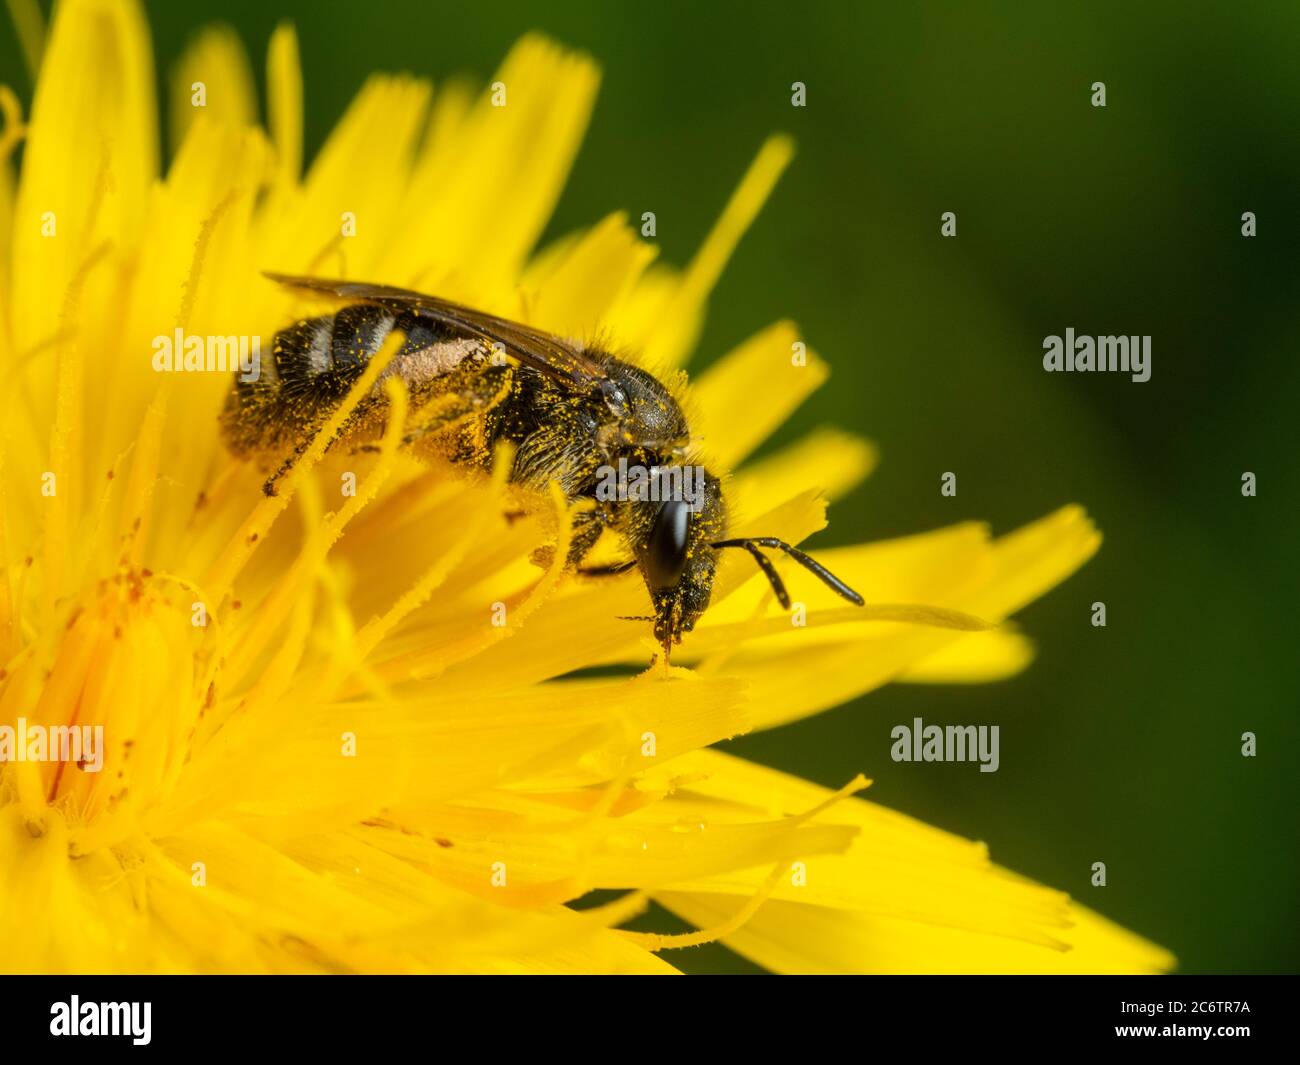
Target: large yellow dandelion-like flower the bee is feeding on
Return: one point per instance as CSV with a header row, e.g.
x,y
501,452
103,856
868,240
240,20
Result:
x,y
319,754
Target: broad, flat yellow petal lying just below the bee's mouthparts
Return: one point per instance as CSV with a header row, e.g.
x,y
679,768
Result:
x,y
443,743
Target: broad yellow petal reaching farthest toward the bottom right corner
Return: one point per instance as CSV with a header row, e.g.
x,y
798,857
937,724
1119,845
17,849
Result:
x,y
903,898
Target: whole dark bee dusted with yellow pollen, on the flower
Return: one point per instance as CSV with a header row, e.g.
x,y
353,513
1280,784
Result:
x,y
475,380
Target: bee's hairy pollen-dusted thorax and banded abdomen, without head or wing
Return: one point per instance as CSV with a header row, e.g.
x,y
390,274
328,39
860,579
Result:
x,y
465,400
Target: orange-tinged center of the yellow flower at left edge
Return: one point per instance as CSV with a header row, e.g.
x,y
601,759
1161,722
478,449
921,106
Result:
x,y
96,725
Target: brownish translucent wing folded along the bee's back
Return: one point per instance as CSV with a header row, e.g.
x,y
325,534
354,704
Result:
x,y
534,348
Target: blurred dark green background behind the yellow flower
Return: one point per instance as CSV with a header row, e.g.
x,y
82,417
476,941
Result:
x,y
1119,744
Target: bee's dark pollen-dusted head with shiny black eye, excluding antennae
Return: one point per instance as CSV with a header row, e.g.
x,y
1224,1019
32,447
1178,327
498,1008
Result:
x,y
675,556
